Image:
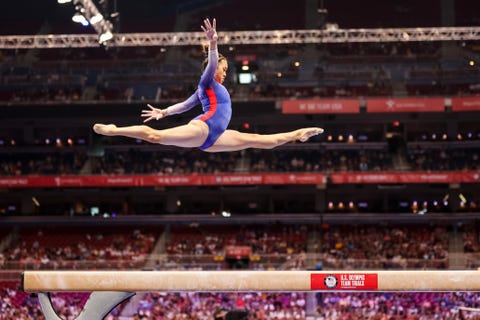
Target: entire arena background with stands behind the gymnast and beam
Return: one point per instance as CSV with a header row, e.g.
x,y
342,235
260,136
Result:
x,y
392,184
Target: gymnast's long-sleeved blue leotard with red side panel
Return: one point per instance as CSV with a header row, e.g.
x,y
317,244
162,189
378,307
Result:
x,y
215,100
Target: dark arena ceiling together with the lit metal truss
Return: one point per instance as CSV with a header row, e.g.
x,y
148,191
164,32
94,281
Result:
x,y
152,23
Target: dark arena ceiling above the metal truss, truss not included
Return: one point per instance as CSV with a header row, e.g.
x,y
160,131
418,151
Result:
x,y
47,16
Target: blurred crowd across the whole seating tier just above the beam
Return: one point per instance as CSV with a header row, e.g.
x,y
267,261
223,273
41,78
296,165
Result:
x,y
361,246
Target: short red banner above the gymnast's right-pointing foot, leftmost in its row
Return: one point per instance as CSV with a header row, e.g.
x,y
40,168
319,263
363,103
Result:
x,y
321,106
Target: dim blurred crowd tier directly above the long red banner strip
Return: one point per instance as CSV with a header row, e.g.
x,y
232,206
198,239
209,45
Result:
x,y
182,162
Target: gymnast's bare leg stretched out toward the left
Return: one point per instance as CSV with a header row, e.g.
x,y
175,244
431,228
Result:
x,y
190,135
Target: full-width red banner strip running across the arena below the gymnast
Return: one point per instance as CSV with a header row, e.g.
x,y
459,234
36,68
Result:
x,y
240,179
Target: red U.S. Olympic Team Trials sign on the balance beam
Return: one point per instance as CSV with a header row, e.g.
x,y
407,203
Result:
x,y
344,281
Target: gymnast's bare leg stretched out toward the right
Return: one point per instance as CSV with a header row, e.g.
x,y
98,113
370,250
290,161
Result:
x,y
232,140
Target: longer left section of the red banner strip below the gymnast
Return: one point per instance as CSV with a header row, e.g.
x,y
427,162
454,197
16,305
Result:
x,y
154,180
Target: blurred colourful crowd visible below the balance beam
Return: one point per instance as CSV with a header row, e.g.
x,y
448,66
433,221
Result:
x,y
15,304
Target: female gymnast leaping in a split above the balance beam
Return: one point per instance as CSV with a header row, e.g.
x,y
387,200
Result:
x,y
207,131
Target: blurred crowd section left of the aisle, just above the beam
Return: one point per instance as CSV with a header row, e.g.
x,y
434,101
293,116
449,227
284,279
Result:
x,y
77,249
